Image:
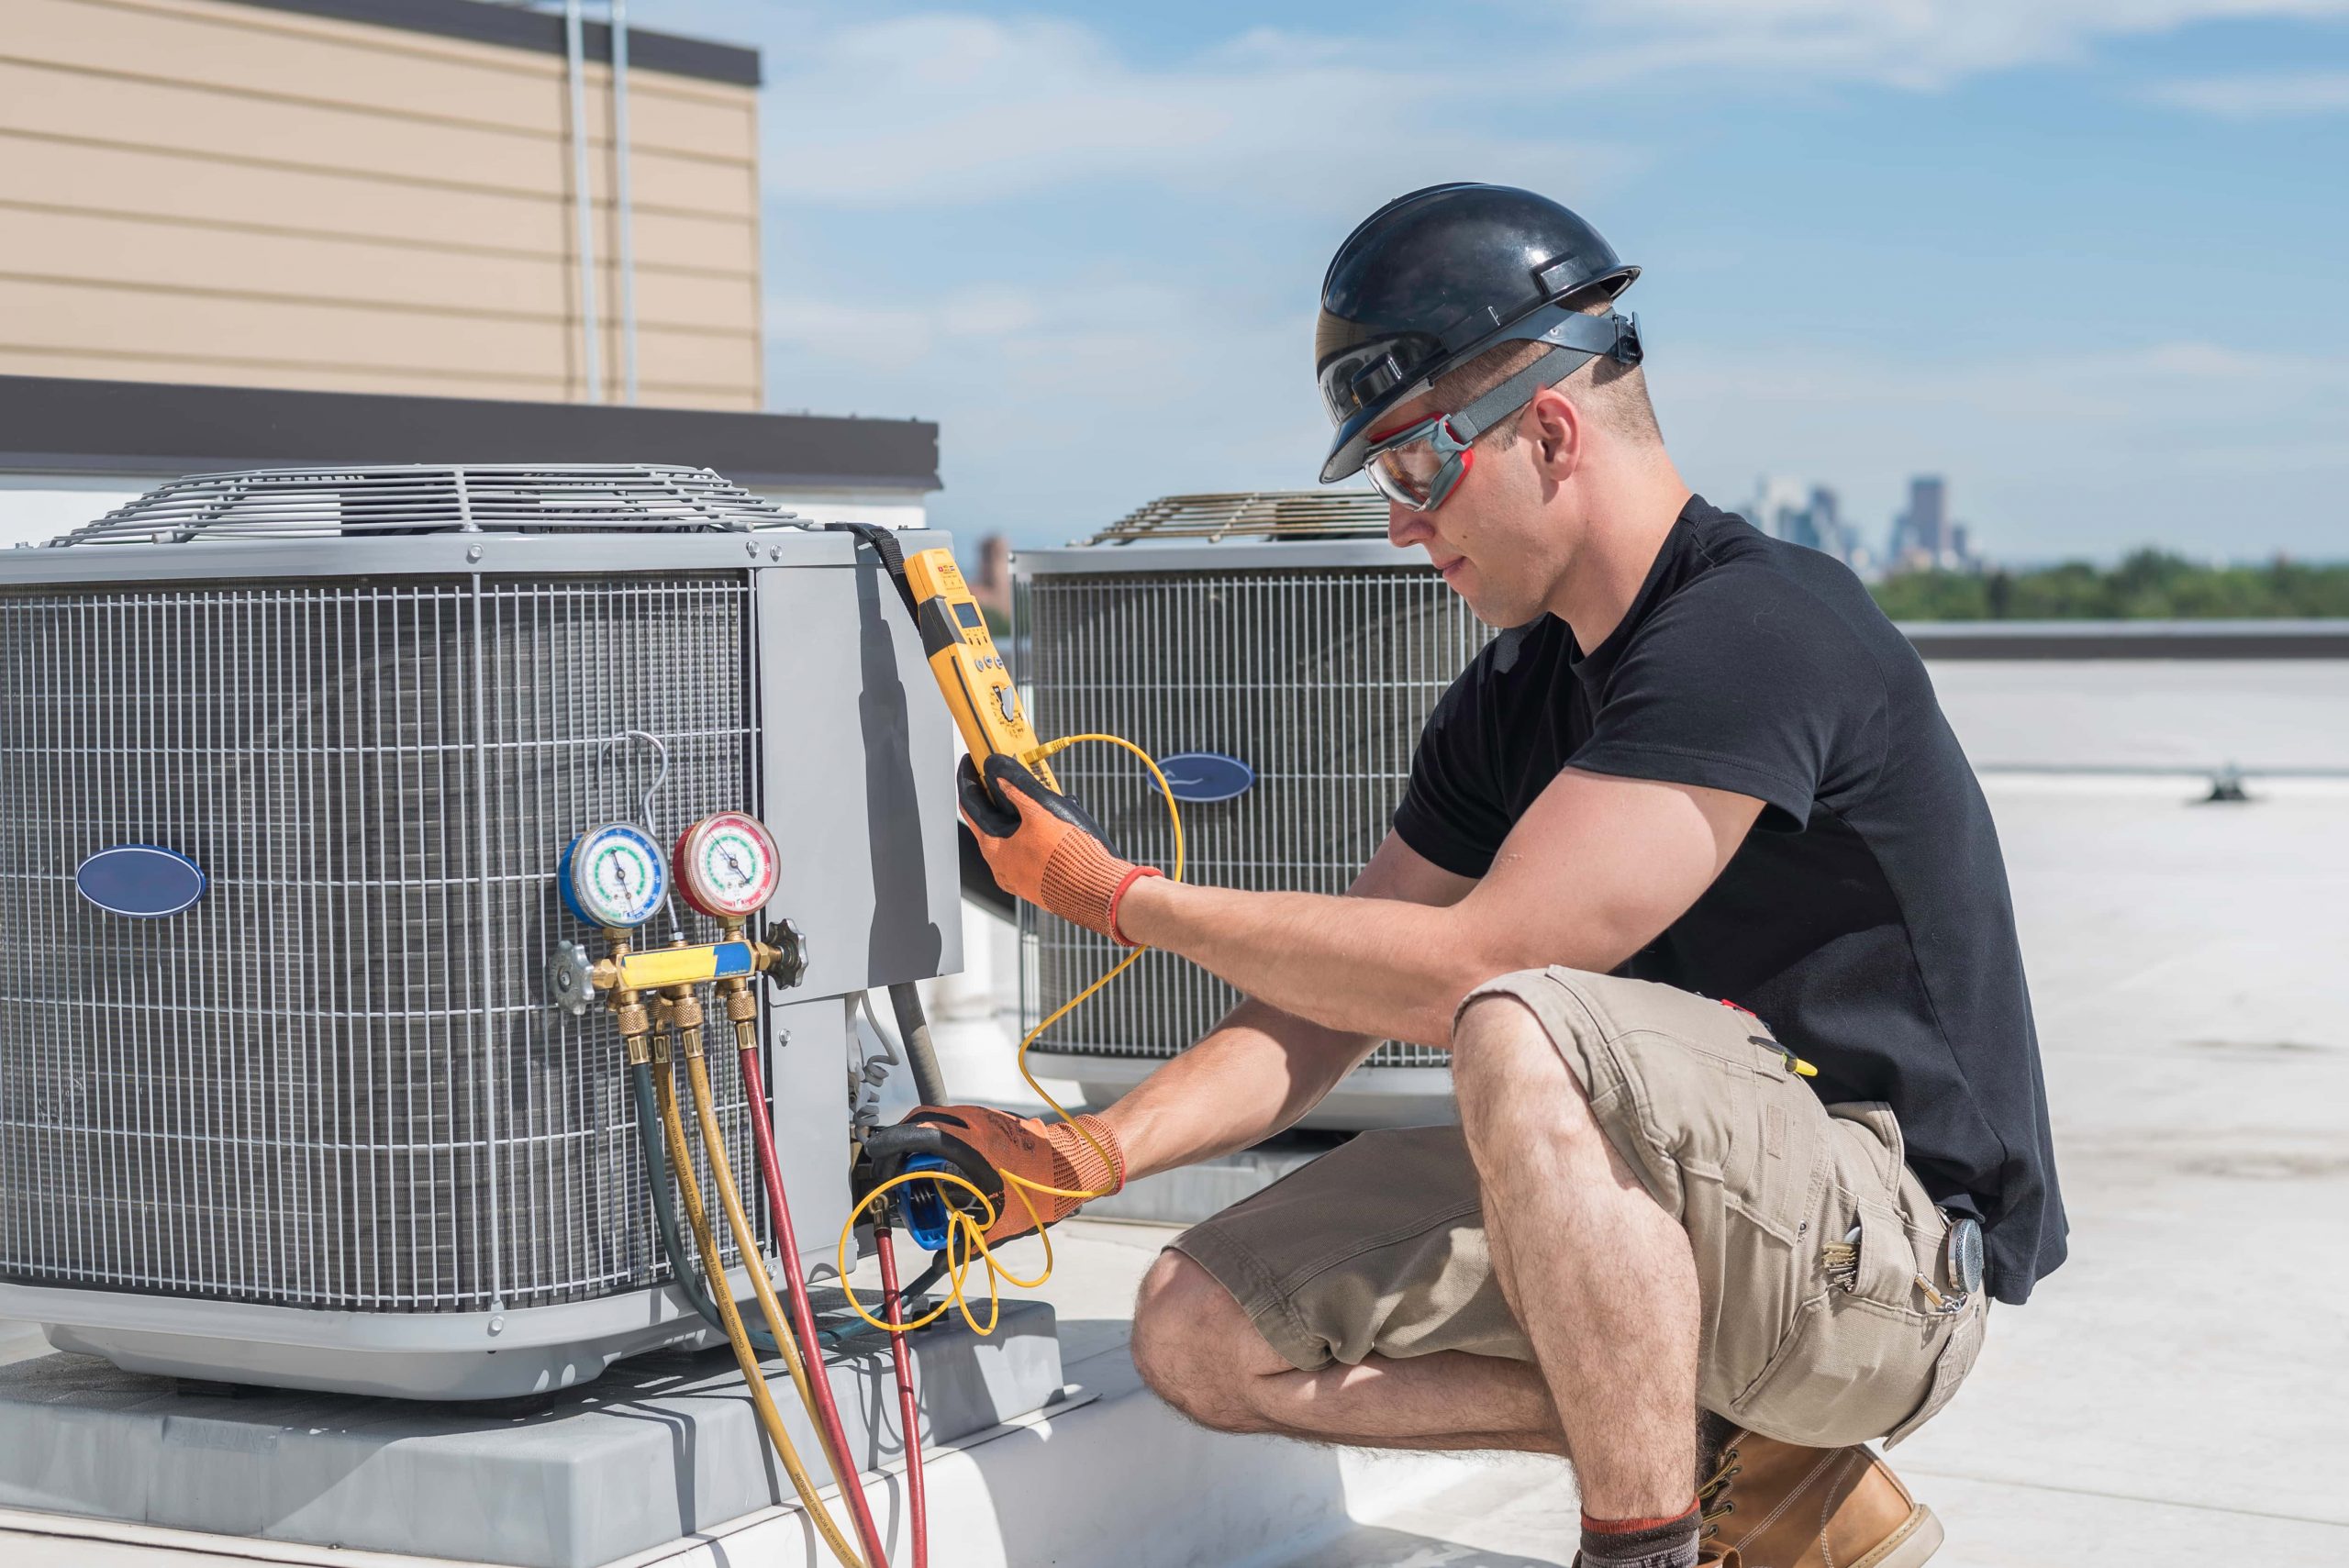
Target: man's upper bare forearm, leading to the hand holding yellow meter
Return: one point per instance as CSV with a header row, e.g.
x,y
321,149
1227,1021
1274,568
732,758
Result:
x,y
1359,966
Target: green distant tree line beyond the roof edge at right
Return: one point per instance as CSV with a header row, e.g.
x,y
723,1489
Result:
x,y
2148,586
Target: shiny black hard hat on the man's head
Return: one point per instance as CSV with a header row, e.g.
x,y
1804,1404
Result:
x,y
1436,278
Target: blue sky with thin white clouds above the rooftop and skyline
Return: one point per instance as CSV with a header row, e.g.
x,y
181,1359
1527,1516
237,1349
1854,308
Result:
x,y
2082,257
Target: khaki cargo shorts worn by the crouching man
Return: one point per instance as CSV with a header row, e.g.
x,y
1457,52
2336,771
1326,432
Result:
x,y
1380,1245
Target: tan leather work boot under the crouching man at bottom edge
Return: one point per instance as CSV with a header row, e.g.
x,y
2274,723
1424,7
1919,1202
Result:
x,y
1777,1506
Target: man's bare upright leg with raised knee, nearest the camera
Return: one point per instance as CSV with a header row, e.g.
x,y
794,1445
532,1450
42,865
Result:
x,y
1598,1276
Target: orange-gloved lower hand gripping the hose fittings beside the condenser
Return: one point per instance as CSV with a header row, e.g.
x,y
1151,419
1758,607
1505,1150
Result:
x,y
992,1144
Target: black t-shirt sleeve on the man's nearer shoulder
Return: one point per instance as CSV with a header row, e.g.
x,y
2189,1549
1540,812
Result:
x,y
1749,687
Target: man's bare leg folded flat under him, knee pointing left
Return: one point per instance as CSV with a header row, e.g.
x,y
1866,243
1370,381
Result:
x,y
1202,1353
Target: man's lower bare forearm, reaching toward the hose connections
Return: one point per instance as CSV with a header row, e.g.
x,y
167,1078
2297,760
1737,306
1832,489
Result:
x,y
1251,1079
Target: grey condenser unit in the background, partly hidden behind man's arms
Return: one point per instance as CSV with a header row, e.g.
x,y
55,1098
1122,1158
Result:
x,y
1279,658
